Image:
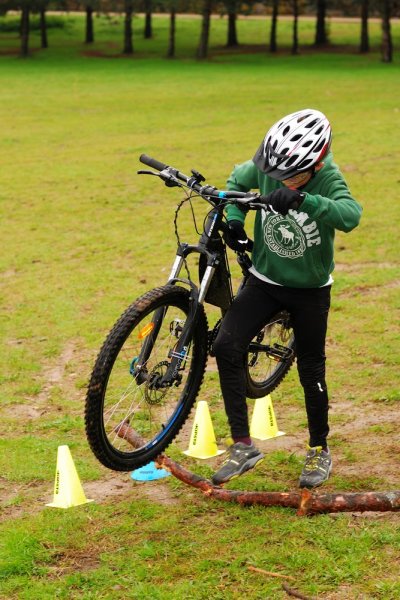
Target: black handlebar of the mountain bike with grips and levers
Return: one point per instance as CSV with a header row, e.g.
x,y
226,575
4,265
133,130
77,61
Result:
x,y
172,176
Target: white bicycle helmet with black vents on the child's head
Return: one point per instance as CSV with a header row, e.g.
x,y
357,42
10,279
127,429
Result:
x,y
294,144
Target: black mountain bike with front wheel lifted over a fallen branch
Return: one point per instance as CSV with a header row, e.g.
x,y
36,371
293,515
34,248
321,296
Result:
x,y
150,368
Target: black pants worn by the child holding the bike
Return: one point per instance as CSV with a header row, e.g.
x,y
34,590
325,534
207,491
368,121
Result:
x,y
252,308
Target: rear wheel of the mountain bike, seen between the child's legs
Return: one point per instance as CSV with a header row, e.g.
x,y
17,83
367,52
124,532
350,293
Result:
x,y
270,356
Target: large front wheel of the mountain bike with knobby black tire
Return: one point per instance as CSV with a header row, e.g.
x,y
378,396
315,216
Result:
x,y
127,386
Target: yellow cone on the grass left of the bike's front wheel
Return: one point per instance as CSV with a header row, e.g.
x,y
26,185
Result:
x,y
68,490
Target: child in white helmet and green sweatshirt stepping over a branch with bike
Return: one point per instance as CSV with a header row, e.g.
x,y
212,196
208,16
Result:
x,y
307,199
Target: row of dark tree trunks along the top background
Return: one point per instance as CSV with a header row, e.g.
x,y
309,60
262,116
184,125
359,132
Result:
x,y
364,9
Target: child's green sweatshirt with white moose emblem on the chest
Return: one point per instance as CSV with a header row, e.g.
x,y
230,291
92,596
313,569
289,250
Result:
x,y
296,250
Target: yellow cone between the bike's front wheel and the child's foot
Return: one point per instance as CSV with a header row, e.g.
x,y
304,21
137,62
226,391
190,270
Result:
x,y
202,441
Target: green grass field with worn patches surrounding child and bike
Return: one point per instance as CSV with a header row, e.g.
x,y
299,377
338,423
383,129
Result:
x,y
82,236
